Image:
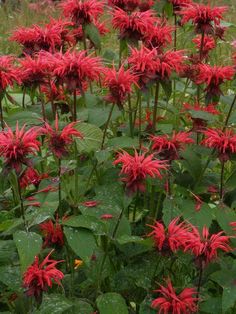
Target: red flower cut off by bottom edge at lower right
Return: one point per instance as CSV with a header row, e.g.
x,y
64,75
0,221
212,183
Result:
x,y
170,302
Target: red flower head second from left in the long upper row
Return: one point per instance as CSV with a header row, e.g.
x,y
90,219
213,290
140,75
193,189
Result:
x,y
34,71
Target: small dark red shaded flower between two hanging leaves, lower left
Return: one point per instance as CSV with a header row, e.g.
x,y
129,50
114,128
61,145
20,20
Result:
x,y
53,234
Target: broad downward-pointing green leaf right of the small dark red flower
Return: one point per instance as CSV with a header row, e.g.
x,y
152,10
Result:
x,y
81,241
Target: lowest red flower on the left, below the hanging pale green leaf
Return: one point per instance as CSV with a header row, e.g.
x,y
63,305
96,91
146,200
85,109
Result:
x,y
38,277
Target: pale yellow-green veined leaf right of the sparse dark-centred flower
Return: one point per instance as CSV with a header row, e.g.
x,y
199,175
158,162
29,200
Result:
x,y
92,137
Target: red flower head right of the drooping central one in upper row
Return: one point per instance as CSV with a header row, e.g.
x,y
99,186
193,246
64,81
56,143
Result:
x,y
143,64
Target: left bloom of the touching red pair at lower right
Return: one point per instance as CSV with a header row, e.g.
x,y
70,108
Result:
x,y
171,239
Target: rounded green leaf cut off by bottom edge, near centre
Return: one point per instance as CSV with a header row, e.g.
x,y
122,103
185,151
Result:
x,y
111,303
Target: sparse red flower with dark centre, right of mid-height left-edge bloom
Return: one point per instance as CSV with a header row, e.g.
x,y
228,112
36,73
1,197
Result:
x,y
59,140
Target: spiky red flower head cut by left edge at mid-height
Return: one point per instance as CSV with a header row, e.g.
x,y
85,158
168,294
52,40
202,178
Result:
x,y
16,146
